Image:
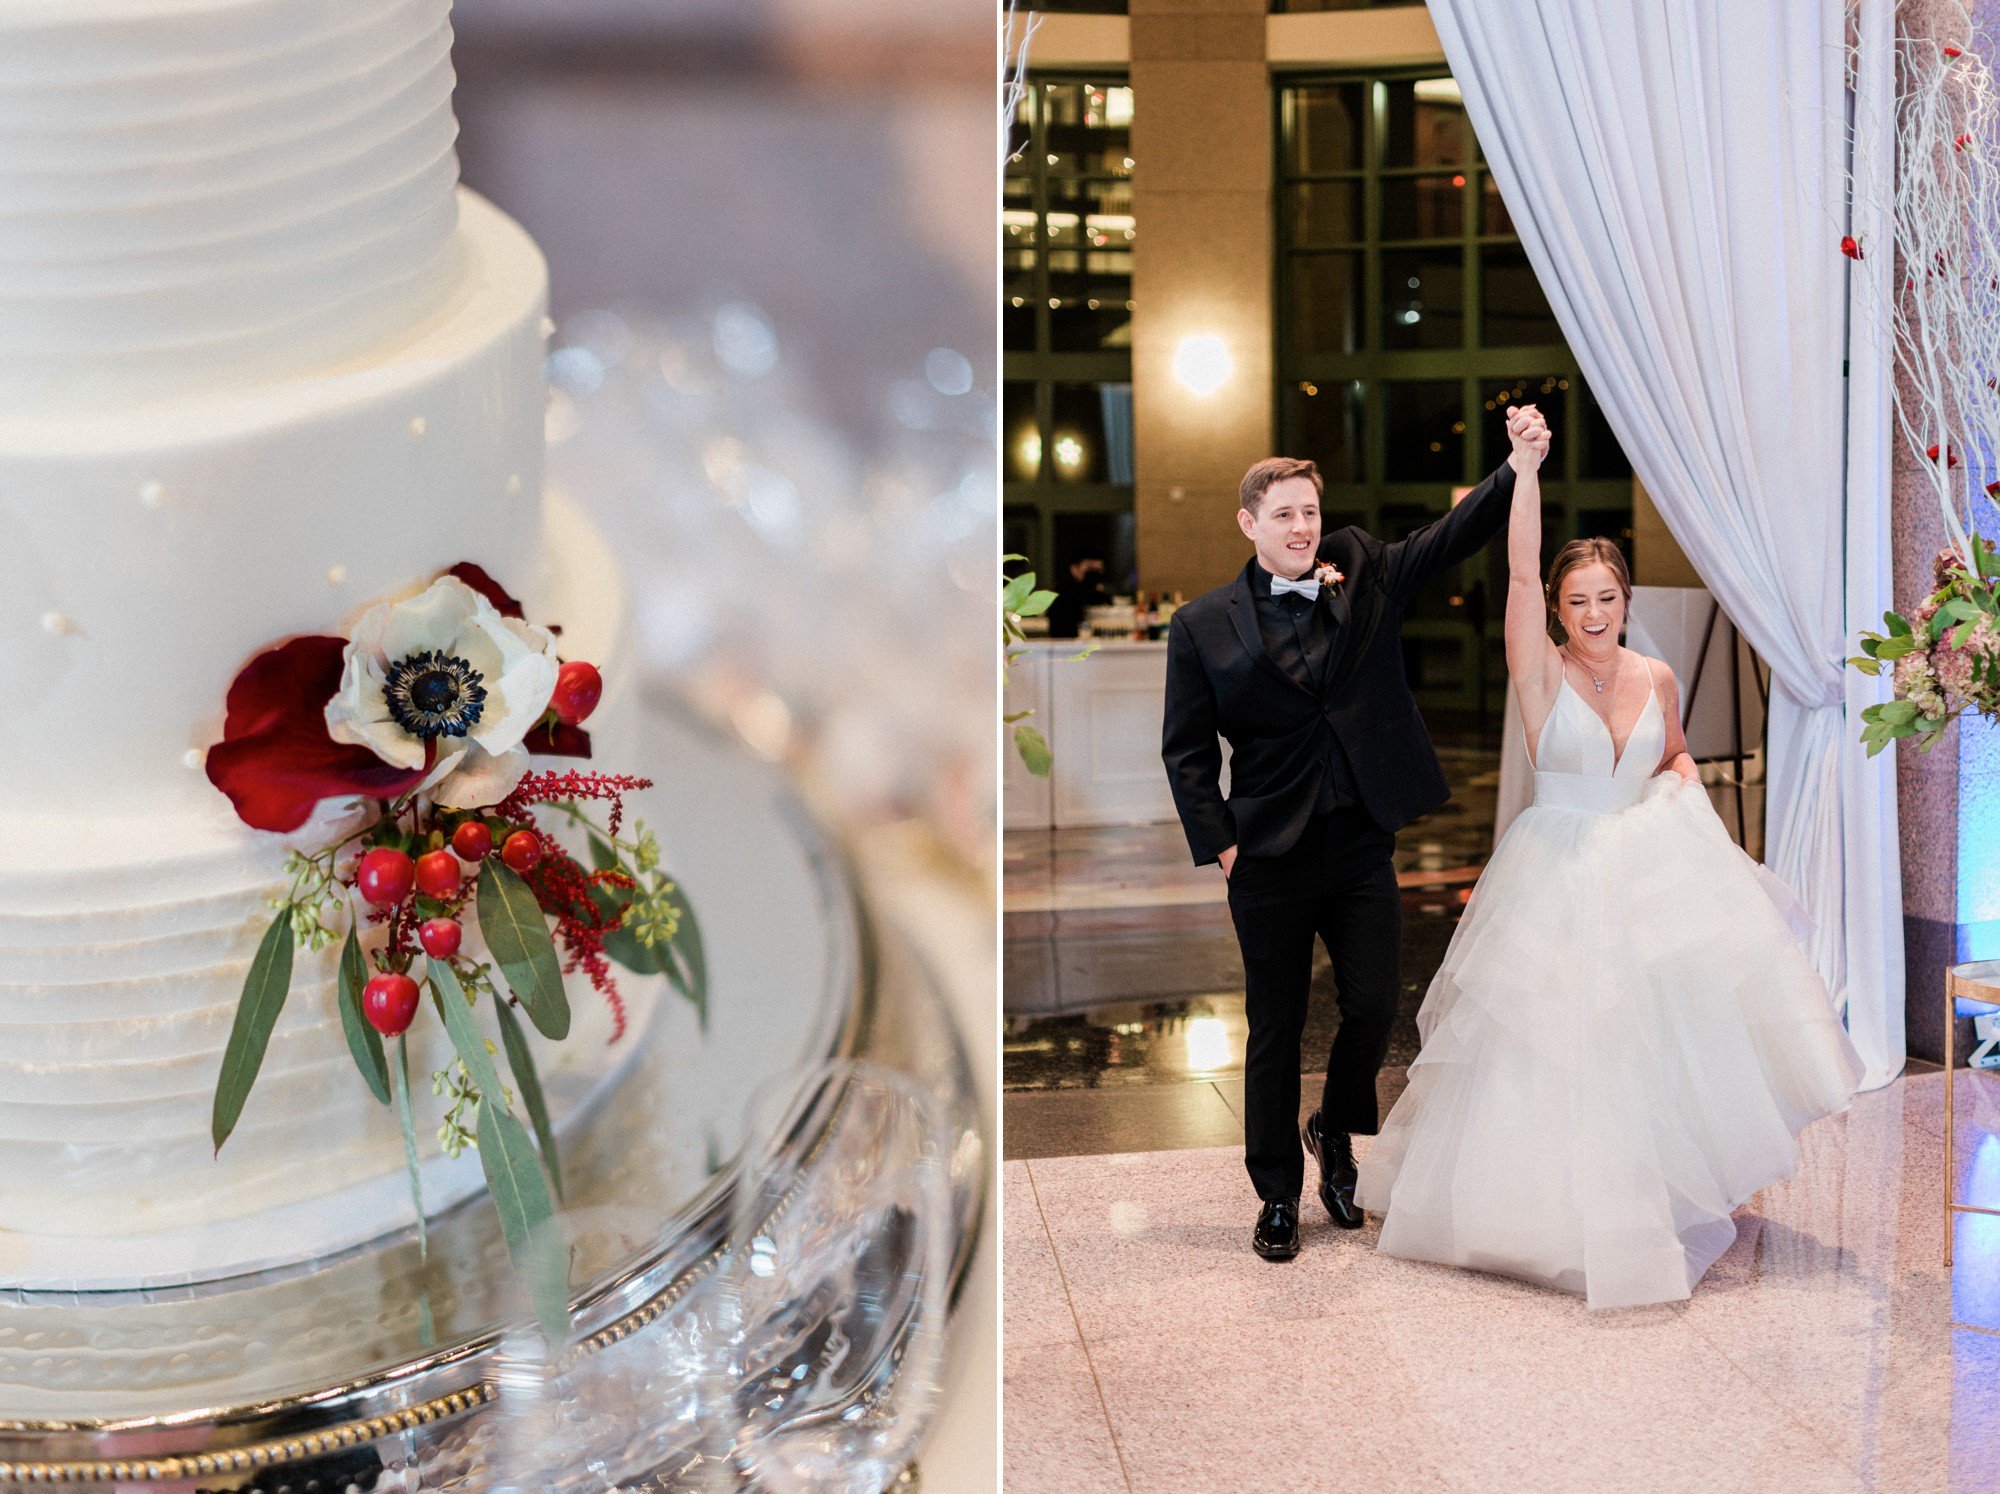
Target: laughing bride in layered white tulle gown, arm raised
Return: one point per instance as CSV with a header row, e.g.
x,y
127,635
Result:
x,y
1625,1039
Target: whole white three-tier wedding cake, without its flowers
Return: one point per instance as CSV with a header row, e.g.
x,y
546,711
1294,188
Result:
x,y
263,363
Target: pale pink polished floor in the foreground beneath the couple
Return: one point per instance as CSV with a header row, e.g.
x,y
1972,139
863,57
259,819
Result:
x,y
1149,1351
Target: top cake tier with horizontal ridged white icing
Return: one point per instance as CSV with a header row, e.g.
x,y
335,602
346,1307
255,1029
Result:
x,y
207,193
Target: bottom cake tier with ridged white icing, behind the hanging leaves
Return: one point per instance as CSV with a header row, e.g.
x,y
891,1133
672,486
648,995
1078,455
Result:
x,y
123,953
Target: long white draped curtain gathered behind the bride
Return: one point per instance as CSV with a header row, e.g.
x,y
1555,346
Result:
x,y
1677,173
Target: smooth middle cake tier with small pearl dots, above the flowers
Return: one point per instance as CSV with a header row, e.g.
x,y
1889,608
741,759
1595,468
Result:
x,y
149,553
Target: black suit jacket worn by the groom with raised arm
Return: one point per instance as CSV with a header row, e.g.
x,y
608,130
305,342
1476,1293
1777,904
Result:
x,y
1221,683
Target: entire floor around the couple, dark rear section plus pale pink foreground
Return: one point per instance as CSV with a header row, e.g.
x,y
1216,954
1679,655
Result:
x,y
1149,1351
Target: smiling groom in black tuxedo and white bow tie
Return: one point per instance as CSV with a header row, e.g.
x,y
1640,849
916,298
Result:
x,y
1299,665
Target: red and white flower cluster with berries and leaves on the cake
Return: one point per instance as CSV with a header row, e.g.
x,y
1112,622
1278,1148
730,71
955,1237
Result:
x,y
417,729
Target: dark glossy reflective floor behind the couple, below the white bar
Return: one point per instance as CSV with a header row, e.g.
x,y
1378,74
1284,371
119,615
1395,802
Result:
x,y
1125,985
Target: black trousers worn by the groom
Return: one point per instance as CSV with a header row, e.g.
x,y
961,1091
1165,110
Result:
x,y
1337,885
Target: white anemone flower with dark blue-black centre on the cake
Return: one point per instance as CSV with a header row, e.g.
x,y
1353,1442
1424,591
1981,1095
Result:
x,y
445,667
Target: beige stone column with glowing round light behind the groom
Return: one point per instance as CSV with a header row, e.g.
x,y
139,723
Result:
x,y
1201,267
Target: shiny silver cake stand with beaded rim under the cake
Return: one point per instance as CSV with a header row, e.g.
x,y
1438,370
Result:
x,y
385,1371
